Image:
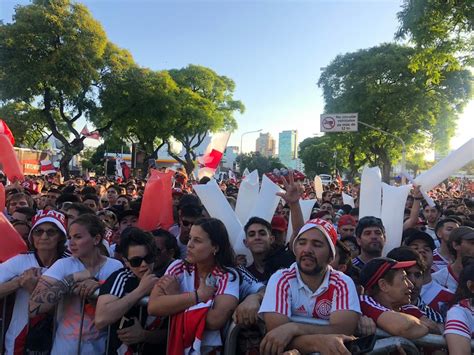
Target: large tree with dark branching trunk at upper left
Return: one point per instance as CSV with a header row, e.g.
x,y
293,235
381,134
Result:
x,y
56,58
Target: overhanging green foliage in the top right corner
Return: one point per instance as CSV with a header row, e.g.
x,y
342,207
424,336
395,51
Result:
x,y
442,31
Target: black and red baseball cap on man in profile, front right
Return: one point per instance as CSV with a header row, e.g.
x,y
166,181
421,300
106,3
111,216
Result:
x,y
376,269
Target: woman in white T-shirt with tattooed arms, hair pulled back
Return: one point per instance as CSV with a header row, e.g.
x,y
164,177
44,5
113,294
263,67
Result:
x,y
69,283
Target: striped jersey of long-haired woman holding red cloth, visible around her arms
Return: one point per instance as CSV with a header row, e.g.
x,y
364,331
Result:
x,y
227,283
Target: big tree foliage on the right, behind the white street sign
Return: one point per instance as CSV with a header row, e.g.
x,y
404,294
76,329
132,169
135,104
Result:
x,y
378,85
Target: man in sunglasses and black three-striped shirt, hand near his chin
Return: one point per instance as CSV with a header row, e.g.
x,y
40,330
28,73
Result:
x,y
132,329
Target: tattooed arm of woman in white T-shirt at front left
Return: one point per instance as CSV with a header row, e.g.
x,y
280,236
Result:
x,y
46,294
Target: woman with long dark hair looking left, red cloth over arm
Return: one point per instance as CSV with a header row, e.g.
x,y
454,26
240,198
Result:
x,y
206,294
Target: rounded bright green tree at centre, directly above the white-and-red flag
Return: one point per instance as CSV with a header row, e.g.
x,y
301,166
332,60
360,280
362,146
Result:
x,y
205,104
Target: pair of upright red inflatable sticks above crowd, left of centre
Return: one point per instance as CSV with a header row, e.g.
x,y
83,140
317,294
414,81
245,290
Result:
x,y
157,204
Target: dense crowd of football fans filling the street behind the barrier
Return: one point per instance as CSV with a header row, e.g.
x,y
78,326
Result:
x,y
82,288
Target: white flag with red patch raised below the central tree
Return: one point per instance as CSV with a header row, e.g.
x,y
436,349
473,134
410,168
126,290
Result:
x,y
209,162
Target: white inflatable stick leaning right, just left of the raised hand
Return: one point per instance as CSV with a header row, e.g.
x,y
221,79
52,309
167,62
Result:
x,y
267,201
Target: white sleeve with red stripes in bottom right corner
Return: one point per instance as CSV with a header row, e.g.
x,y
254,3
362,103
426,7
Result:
x,y
460,320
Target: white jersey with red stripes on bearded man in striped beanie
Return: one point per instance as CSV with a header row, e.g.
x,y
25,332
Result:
x,y
287,294
